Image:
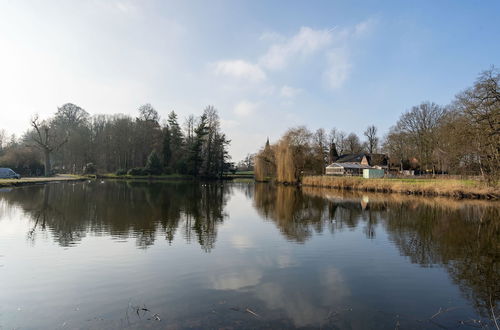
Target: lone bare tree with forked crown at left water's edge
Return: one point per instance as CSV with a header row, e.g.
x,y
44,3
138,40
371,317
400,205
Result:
x,y
45,139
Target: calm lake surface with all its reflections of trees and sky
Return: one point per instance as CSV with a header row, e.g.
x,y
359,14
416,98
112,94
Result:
x,y
135,255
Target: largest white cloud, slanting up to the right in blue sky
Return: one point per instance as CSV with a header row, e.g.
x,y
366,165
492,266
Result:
x,y
305,42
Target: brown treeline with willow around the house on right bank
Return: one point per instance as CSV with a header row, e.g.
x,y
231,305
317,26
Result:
x,y
460,138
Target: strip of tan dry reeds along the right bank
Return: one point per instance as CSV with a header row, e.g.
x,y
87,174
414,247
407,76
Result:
x,y
427,187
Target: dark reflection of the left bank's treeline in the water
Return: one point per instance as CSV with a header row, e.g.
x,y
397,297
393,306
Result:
x,y
123,210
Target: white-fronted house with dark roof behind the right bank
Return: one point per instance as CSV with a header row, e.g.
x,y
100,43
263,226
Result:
x,y
354,164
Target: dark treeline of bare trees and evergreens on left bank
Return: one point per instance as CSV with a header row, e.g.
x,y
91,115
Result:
x,y
73,141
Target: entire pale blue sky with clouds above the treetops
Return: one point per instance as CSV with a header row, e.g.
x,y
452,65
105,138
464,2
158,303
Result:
x,y
265,65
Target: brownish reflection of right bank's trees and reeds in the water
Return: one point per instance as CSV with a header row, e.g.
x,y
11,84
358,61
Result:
x,y
461,236
